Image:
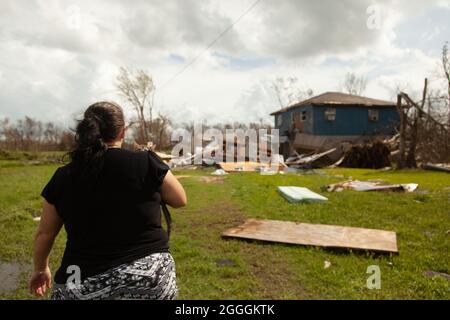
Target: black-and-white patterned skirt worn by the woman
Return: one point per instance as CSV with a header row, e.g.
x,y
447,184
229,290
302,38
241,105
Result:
x,y
150,278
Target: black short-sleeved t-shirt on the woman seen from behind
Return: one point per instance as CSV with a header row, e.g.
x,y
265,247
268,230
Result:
x,y
113,219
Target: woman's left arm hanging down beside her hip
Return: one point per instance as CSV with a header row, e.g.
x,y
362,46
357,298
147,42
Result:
x,y
48,229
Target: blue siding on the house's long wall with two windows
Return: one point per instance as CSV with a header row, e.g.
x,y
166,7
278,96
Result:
x,y
354,121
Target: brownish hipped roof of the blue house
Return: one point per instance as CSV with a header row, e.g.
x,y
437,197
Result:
x,y
338,99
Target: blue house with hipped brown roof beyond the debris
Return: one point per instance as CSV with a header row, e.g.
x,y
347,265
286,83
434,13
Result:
x,y
334,119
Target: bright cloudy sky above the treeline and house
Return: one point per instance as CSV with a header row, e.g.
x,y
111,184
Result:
x,y
57,57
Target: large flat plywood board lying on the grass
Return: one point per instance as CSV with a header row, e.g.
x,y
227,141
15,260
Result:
x,y
315,235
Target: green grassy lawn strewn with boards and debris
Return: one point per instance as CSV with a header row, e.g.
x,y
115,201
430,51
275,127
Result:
x,y
210,267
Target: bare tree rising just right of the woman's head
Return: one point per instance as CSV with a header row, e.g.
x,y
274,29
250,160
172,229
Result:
x,y
138,88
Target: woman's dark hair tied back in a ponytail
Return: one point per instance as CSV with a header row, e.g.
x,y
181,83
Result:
x,y
101,125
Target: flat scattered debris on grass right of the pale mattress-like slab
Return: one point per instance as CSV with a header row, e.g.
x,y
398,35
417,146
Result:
x,y
370,186
